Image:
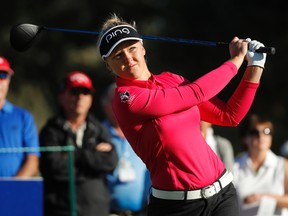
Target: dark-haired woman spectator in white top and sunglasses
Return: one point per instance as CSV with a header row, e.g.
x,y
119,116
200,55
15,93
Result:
x,y
260,176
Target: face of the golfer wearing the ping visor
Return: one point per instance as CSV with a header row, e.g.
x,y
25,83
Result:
x,y
128,61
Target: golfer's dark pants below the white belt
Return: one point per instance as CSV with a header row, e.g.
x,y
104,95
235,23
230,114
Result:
x,y
225,203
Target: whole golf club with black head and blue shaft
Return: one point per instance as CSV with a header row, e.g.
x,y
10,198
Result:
x,y
23,35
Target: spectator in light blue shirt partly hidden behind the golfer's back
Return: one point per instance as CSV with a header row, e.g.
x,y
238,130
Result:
x,y
129,184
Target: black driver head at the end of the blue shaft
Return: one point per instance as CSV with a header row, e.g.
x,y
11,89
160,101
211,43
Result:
x,y
22,36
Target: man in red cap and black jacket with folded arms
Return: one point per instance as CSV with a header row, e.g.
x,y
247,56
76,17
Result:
x,y
94,154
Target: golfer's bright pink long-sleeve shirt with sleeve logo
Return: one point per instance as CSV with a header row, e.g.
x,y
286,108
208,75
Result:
x,y
161,117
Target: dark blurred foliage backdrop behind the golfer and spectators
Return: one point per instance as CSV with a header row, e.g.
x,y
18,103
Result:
x,y
39,69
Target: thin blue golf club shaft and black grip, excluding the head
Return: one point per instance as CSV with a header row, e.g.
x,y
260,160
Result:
x,y
268,50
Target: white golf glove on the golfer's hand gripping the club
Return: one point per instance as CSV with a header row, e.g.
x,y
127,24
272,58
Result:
x,y
254,58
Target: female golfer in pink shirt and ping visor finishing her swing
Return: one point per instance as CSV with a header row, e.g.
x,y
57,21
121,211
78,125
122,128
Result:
x,y
160,116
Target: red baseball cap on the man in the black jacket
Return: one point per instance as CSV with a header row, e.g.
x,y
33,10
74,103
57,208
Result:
x,y
77,79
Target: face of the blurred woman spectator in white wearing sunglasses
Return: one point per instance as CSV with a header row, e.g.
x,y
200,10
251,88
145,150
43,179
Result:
x,y
259,138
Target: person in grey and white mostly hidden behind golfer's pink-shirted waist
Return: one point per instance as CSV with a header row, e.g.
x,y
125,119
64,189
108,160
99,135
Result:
x,y
220,145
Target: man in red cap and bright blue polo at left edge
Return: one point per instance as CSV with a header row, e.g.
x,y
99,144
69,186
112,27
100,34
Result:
x,y
17,130
